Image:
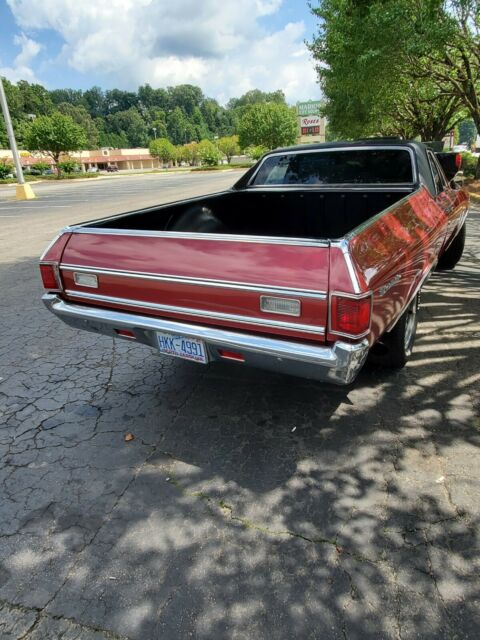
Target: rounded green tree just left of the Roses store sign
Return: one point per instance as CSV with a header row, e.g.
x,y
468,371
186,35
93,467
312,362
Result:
x,y
269,124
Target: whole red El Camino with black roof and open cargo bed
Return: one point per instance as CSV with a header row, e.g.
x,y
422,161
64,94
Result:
x,y
314,259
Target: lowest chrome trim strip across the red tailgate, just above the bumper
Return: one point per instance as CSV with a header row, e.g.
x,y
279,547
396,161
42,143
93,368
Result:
x,y
197,313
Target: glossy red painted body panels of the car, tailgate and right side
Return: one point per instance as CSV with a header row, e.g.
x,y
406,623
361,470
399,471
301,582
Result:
x,y
390,258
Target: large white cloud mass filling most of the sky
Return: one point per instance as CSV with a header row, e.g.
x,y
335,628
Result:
x,y
219,45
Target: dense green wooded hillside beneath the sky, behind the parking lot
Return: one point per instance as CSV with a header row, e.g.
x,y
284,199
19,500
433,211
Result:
x,y
117,118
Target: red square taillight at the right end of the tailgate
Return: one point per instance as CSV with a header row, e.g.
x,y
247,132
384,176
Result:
x,y
350,315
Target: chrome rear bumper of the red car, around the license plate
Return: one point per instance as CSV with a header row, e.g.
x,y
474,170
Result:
x,y
339,363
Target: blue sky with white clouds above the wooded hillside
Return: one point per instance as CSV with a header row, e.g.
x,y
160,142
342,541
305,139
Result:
x,y
226,47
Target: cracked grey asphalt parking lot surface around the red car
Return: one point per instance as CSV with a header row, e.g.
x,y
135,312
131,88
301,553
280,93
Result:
x,y
248,505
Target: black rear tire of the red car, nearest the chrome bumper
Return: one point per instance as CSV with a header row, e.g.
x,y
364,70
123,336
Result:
x,y
394,349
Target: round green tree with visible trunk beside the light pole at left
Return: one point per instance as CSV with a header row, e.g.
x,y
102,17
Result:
x,y
54,135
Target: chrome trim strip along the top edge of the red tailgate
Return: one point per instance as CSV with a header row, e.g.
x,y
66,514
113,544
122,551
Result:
x,y
185,235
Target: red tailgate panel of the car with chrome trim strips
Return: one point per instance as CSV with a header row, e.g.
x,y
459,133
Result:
x,y
204,280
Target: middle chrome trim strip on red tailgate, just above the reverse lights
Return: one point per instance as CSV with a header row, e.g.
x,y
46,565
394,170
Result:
x,y
223,284
